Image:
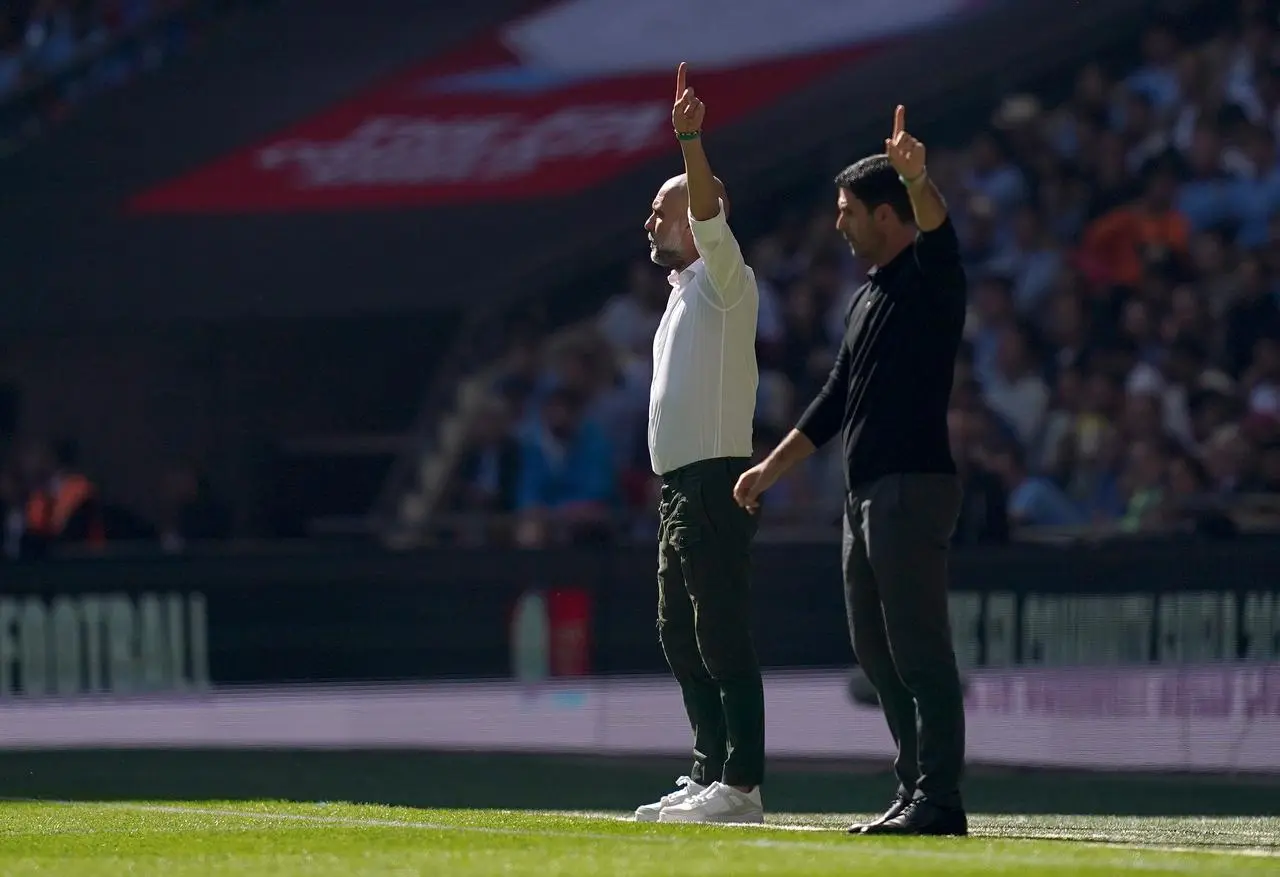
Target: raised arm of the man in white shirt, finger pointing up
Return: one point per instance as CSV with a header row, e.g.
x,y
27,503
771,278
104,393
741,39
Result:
x,y
708,204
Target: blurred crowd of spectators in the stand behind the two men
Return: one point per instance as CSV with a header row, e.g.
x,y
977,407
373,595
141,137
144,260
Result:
x,y
1122,367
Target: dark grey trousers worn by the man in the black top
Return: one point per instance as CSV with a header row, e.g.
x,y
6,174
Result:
x,y
898,533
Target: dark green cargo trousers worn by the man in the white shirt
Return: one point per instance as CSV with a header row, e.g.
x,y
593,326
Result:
x,y
705,622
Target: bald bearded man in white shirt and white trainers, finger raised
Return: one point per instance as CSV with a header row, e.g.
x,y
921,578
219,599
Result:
x,y
701,410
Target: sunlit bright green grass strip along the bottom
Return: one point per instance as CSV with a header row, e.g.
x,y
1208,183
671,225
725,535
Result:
x,y
208,839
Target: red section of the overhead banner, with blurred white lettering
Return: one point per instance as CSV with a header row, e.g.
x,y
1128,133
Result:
x,y
412,143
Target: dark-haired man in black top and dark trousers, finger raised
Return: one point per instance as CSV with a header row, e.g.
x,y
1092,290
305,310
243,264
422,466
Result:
x,y
888,396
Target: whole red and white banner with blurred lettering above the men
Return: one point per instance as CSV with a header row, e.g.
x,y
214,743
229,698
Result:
x,y
522,113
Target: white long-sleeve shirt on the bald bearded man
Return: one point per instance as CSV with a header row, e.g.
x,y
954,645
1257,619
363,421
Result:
x,y
705,376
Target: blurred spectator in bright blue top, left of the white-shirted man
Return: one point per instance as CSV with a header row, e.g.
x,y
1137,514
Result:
x,y
568,479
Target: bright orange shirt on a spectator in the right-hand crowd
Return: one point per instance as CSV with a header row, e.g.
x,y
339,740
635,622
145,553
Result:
x,y
1114,245
